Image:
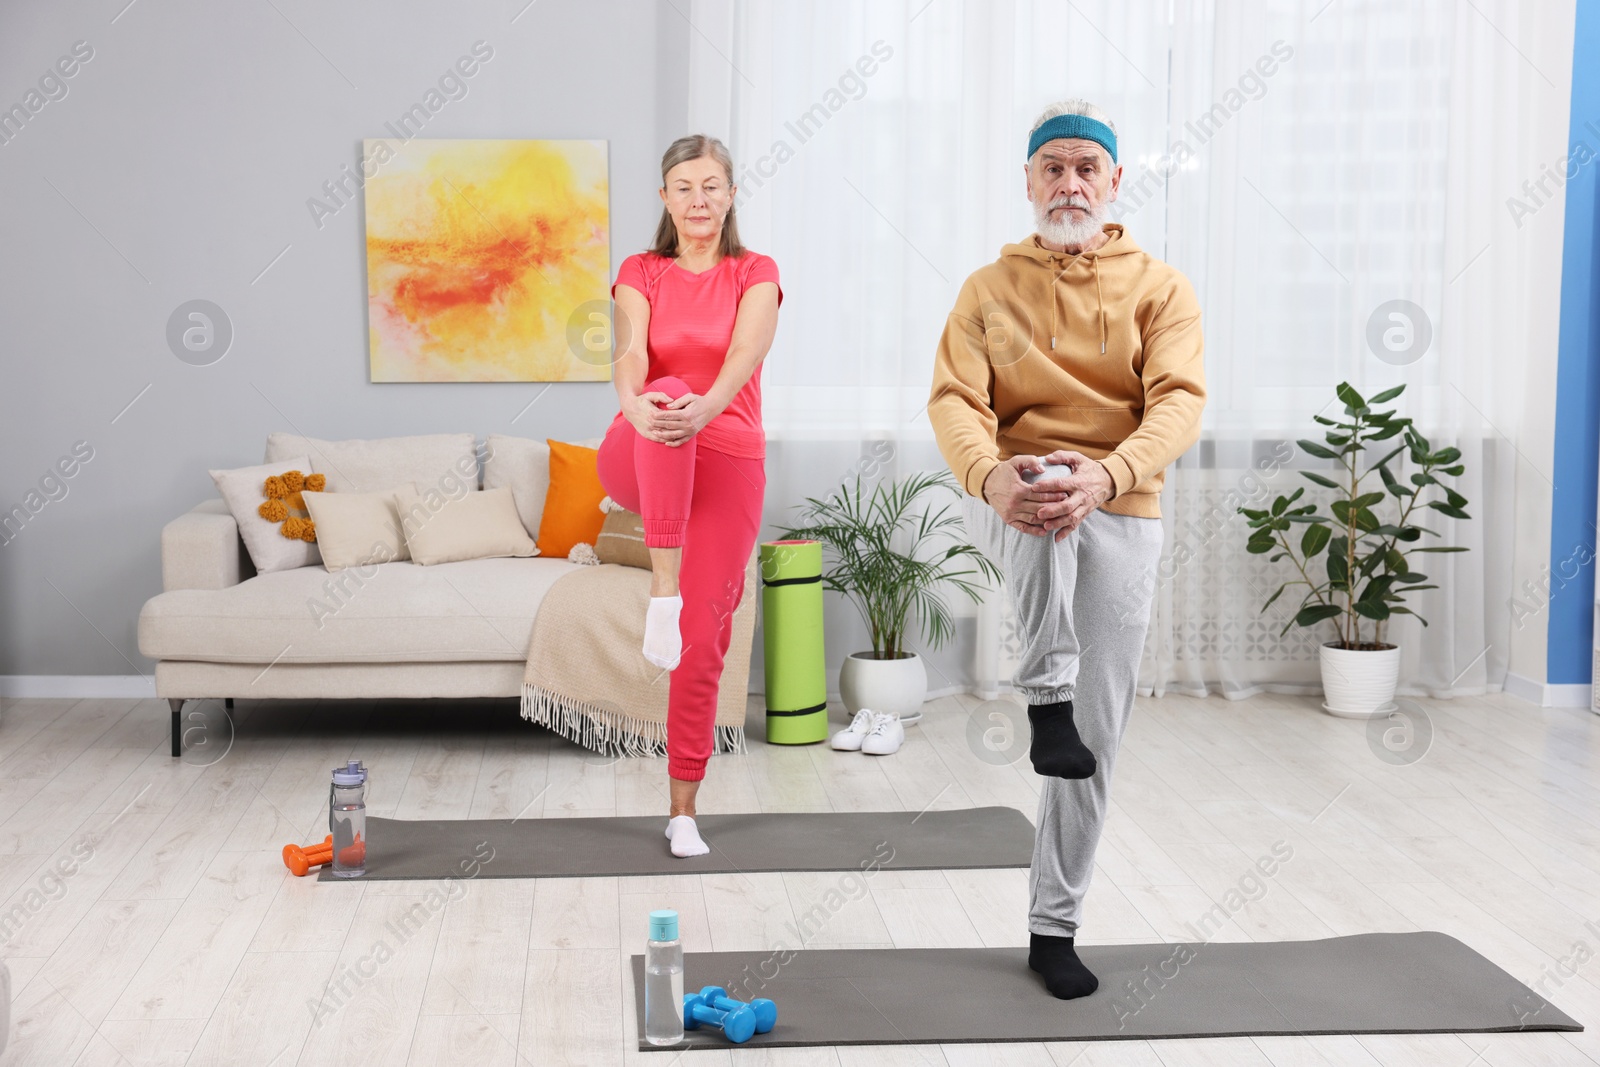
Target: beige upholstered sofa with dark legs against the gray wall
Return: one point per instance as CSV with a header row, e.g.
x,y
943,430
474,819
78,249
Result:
x,y
458,629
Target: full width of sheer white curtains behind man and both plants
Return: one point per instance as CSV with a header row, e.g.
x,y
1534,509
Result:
x,y
879,153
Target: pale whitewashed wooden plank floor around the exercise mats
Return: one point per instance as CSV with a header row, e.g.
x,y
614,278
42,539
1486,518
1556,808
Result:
x,y
177,937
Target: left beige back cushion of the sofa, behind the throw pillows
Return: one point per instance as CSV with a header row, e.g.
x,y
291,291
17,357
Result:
x,y
444,462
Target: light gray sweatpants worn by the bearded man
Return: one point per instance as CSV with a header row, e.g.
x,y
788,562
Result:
x,y
1082,609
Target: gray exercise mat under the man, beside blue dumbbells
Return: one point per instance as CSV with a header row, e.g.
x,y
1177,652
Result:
x,y
1407,983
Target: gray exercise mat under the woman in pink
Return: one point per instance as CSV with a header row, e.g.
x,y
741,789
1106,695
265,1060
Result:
x,y
638,845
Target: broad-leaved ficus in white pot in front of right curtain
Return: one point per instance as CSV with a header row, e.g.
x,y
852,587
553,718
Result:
x,y
1351,559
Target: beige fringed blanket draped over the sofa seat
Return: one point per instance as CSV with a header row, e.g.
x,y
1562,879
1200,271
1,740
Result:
x,y
590,682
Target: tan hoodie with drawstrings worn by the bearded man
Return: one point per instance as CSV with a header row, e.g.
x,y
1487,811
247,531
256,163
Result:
x,y
1098,353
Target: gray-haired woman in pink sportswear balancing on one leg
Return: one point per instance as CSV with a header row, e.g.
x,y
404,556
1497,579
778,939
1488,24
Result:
x,y
698,314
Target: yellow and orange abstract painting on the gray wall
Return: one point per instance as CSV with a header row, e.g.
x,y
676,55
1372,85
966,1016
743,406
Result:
x,y
487,262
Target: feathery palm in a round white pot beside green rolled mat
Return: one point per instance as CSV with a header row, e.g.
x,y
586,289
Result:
x,y
887,586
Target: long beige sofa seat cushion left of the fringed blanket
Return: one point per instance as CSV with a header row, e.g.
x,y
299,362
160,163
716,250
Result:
x,y
473,610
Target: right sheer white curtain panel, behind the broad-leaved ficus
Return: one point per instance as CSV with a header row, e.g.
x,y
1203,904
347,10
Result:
x,y
1354,175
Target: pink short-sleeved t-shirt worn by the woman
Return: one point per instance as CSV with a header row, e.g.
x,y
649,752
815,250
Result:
x,y
690,329
